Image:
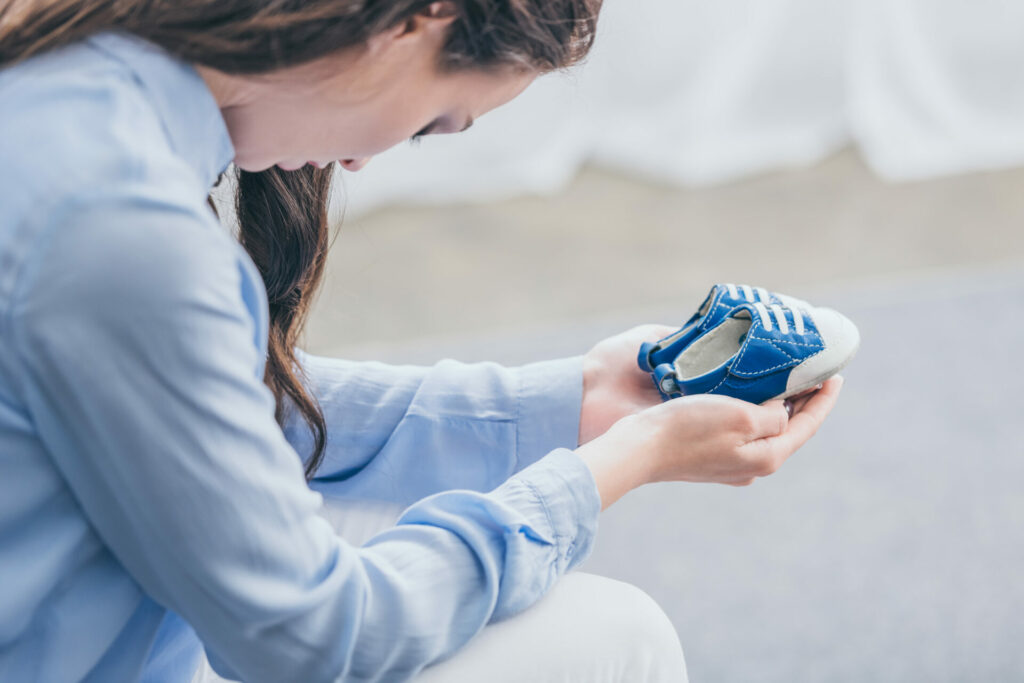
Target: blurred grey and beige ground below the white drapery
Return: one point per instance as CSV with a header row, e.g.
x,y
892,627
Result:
x,y
891,547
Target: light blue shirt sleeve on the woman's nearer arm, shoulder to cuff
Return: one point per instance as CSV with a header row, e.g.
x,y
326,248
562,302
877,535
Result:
x,y
135,323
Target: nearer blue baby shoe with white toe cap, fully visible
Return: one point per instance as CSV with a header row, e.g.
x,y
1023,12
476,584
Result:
x,y
760,352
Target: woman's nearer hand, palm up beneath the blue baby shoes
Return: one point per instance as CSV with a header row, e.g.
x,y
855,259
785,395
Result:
x,y
707,439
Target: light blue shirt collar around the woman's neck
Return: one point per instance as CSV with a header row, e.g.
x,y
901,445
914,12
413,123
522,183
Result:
x,y
186,106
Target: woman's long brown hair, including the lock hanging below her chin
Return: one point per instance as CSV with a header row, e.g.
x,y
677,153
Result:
x,y
283,215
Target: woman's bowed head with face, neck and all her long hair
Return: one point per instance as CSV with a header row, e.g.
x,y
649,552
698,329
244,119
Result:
x,y
319,80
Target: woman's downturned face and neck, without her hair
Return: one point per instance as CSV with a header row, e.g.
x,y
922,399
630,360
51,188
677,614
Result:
x,y
351,107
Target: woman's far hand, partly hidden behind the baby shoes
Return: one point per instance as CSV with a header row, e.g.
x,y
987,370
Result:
x,y
613,385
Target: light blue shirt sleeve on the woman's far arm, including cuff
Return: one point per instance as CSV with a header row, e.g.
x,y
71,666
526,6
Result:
x,y
402,433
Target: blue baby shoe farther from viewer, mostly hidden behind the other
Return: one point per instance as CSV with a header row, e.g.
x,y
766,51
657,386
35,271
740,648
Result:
x,y
717,306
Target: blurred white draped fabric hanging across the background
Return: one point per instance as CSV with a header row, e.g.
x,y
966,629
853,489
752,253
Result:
x,y
702,93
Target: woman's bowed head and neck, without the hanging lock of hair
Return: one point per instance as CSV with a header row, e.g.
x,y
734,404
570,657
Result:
x,y
324,80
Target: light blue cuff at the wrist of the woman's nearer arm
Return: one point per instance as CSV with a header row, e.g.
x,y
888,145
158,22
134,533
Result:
x,y
561,492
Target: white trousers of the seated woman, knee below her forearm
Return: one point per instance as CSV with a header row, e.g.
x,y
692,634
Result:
x,y
587,629
